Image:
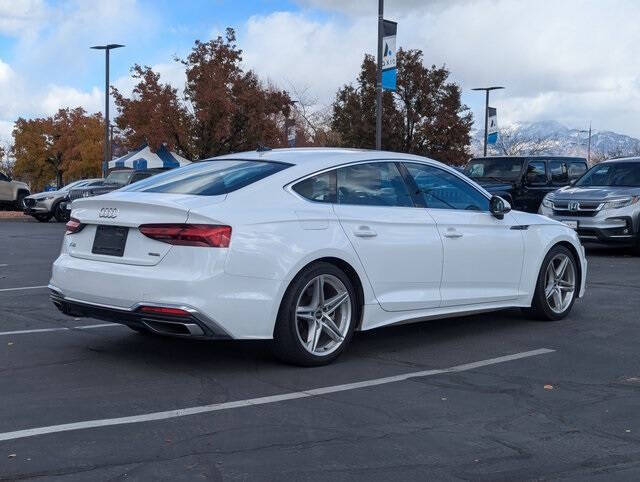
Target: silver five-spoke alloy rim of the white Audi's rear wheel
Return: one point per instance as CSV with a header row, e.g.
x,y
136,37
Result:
x,y
323,315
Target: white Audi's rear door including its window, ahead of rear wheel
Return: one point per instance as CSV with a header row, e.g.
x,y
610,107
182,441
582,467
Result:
x,y
398,245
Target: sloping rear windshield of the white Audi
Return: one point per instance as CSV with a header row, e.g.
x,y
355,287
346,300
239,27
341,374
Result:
x,y
209,178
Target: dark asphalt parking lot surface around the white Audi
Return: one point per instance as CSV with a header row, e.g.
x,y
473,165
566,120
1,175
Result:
x,y
490,397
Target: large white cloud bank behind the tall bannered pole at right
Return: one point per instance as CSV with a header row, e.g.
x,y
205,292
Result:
x,y
571,61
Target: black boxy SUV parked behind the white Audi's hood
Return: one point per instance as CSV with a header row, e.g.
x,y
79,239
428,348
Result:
x,y
524,181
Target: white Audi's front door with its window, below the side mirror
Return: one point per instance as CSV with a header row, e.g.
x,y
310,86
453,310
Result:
x,y
483,255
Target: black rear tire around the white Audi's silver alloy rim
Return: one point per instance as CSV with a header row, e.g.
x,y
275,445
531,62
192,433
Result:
x,y
287,344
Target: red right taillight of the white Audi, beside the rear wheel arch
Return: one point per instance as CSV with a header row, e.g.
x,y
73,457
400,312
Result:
x,y
208,235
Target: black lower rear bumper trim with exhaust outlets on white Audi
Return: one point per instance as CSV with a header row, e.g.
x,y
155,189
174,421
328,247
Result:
x,y
195,325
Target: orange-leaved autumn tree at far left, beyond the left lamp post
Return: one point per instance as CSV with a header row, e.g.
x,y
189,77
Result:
x,y
63,147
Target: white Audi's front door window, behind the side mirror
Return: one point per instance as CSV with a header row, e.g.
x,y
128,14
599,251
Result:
x,y
441,189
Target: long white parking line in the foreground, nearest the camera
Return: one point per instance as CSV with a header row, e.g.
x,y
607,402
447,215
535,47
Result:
x,y
183,412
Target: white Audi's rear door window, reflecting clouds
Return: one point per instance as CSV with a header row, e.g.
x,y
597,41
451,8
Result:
x,y
372,184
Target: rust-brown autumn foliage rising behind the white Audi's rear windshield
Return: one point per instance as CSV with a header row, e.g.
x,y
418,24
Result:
x,y
223,108
